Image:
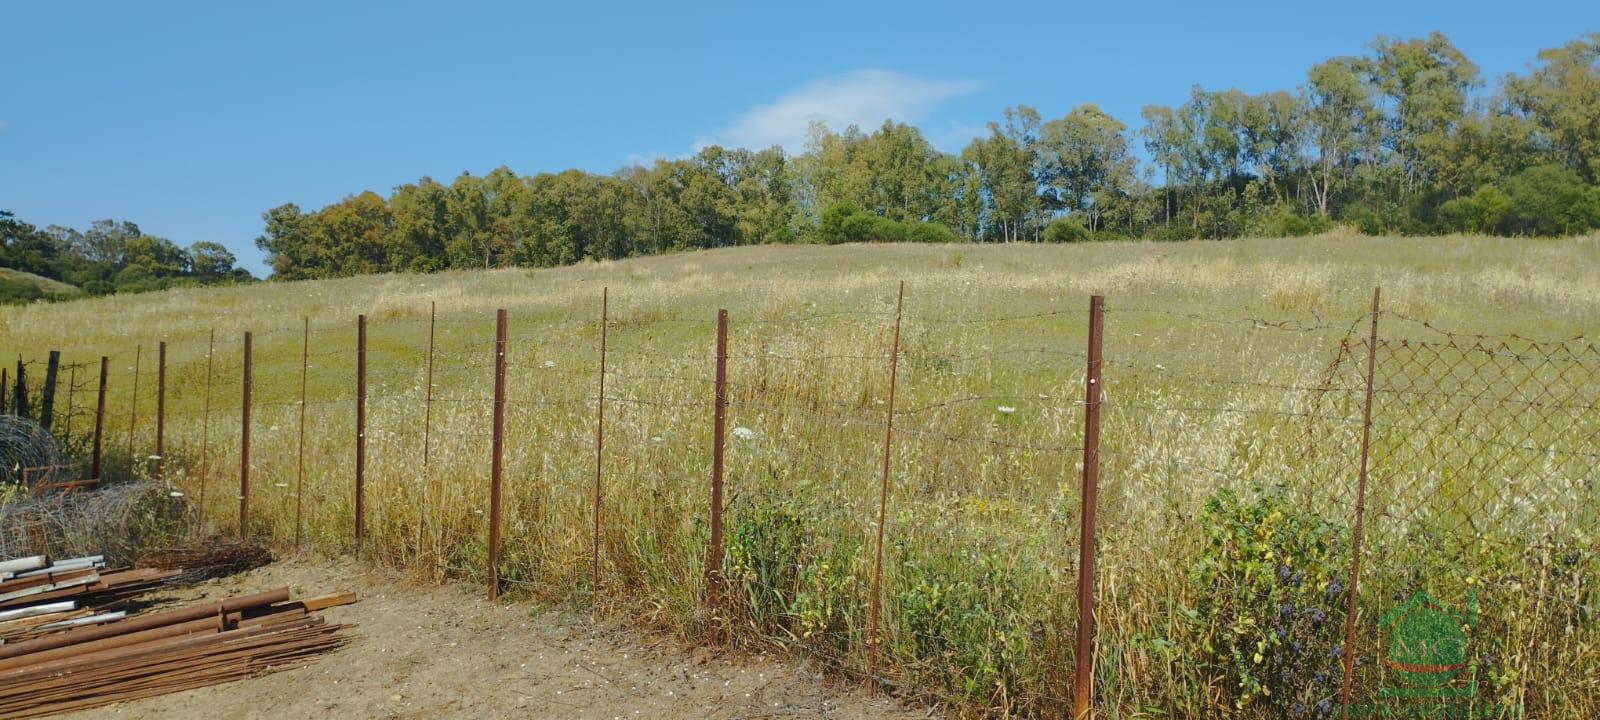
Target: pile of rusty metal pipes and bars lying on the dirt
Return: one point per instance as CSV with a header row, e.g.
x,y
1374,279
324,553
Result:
x,y
62,649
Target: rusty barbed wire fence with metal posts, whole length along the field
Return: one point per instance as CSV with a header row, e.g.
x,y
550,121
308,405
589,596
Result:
x,y
1439,463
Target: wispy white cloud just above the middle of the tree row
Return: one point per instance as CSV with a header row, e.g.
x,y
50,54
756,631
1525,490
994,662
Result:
x,y
863,98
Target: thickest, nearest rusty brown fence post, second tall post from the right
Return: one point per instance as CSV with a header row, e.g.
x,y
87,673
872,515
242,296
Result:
x,y
1084,671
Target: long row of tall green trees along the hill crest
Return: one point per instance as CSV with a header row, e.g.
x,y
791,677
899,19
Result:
x,y
1402,140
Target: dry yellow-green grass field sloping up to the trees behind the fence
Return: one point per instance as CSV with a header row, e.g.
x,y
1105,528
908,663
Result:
x,y
1231,452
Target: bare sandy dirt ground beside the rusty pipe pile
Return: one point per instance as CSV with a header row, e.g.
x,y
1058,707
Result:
x,y
442,652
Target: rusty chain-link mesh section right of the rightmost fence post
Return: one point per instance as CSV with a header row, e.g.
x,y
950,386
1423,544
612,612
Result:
x,y
1482,514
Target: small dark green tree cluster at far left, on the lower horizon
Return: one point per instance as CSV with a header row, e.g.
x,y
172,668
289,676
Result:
x,y
108,258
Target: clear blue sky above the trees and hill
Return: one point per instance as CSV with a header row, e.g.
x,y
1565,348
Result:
x,y
193,119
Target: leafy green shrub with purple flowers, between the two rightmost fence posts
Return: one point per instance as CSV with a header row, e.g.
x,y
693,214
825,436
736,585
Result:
x,y
1271,580
